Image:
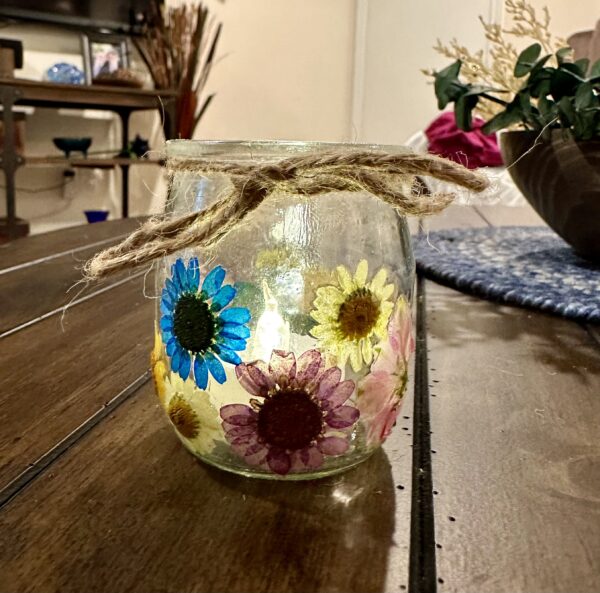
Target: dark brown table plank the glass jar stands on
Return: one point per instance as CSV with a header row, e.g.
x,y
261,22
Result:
x,y
130,510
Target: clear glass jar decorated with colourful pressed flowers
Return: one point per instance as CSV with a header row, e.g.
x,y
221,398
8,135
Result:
x,y
283,351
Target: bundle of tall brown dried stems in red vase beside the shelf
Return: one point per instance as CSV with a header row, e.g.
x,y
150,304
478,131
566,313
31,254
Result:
x,y
178,47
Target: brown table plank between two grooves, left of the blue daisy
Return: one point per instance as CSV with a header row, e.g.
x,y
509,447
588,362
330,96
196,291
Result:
x,y
53,376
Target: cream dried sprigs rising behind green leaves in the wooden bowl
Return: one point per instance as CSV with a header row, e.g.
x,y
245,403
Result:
x,y
525,24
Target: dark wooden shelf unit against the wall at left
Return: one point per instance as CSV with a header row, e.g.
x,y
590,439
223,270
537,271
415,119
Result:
x,y
122,101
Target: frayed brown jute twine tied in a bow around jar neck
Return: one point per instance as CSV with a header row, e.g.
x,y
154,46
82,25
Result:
x,y
378,173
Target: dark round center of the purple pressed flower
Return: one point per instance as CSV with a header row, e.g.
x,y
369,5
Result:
x,y
289,420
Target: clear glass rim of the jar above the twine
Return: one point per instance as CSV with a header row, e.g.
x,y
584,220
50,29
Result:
x,y
251,149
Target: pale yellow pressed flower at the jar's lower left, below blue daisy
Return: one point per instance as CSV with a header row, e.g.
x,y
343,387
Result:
x,y
189,409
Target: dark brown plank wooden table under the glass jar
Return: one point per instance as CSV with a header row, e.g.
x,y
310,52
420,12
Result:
x,y
490,482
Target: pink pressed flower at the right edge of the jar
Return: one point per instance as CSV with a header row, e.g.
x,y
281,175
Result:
x,y
381,391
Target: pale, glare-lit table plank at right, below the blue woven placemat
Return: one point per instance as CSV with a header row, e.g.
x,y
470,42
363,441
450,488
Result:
x,y
517,462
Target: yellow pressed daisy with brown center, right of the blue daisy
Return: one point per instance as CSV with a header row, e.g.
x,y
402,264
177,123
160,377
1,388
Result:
x,y
351,315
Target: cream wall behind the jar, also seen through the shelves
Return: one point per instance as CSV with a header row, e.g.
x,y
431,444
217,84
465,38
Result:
x,y
334,70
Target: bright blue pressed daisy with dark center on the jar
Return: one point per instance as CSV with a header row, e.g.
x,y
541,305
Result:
x,y
197,327
